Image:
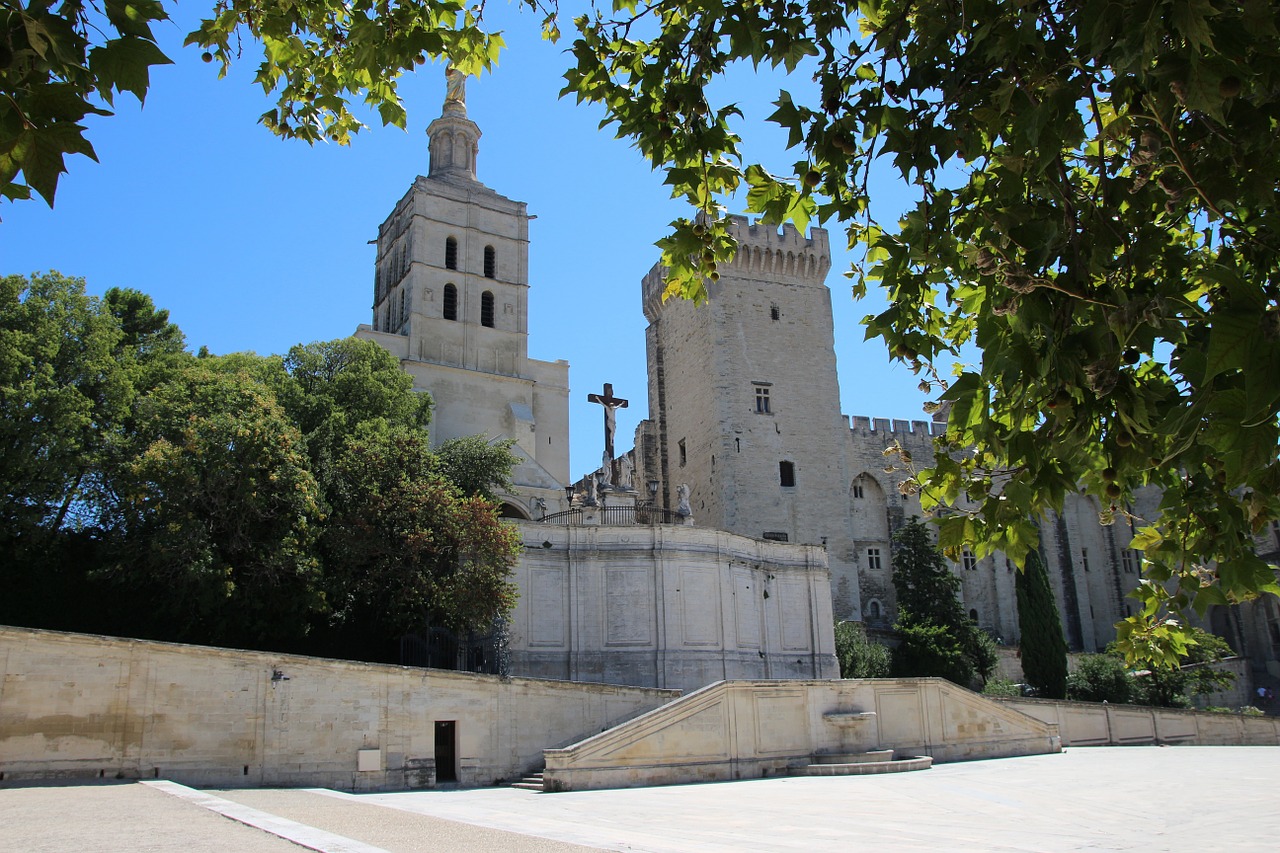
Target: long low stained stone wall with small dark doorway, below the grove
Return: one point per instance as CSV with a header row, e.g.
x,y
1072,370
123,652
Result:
x,y
83,706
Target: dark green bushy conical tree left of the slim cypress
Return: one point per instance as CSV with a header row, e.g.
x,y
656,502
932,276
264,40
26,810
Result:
x,y
938,638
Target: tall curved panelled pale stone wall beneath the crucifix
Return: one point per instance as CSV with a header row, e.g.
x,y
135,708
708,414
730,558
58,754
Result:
x,y
669,606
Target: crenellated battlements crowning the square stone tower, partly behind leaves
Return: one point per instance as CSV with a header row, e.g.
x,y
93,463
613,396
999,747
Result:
x,y
764,253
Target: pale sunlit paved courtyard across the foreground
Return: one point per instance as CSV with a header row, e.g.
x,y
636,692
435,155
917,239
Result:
x,y
1137,799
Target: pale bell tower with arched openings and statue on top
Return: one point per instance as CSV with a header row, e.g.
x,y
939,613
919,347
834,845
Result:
x,y
451,300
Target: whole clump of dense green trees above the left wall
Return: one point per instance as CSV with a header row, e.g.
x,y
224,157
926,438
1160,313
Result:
x,y
276,503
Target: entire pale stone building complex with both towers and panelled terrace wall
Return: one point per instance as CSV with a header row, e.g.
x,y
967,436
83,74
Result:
x,y
751,513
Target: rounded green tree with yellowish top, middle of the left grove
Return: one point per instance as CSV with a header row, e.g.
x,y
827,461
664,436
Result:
x,y
212,512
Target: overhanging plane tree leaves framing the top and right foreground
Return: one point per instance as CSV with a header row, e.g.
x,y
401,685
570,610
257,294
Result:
x,y
1095,181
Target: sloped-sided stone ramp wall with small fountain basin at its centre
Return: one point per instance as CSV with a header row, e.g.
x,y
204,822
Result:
x,y
753,729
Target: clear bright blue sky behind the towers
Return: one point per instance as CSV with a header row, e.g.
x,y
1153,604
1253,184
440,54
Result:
x,y
259,244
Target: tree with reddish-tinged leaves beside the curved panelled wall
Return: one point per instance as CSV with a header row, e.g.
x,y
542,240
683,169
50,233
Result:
x,y
406,550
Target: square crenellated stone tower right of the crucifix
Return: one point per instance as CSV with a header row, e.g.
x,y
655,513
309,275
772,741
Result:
x,y
744,399
